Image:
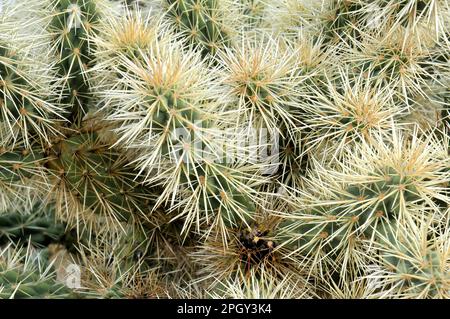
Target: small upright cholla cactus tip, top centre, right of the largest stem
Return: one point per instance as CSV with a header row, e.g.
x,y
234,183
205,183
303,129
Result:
x,y
263,79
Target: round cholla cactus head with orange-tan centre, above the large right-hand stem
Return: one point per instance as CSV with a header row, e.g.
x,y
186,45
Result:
x,y
348,109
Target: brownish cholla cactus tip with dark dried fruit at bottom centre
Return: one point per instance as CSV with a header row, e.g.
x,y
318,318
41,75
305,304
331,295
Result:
x,y
252,250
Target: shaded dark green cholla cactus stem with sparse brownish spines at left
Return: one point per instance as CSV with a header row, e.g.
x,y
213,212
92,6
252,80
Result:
x,y
93,180
